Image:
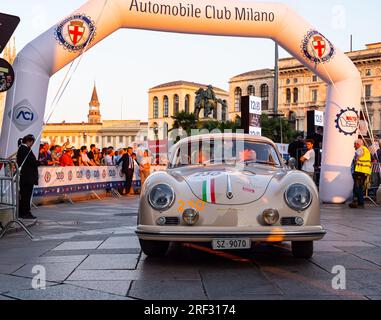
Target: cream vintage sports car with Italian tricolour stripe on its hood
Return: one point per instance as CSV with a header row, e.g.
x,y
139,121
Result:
x,y
231,191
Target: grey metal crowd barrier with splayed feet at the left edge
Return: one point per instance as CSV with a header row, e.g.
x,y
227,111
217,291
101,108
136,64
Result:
x,y
9,195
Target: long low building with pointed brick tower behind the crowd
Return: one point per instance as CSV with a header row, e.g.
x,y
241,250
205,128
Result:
x,y
116,133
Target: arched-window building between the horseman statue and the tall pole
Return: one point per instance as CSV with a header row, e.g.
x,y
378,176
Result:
x,y
258,83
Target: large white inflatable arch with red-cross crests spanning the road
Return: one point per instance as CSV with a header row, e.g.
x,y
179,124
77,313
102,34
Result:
x,y
97,19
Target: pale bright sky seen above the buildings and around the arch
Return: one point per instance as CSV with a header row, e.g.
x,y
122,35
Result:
x,y
129,62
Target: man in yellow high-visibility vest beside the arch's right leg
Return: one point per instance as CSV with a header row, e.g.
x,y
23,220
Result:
x,y
361,169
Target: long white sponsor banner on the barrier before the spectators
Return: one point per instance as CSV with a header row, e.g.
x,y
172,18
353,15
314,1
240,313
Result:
x,y
64,180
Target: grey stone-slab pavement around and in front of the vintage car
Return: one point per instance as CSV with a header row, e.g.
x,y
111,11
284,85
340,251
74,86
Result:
x,y
90,251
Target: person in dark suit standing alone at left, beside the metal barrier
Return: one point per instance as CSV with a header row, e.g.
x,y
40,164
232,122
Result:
x,y
28,165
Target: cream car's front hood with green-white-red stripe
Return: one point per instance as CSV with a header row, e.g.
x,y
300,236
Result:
x,y
227,185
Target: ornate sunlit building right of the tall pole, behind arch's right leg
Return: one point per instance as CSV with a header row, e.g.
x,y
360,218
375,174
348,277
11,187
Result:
x,y
300,90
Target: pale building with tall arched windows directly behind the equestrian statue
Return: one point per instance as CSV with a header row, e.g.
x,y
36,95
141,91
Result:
x,y
167,99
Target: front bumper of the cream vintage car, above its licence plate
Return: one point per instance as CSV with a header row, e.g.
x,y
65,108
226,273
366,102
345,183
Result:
x,y
202,235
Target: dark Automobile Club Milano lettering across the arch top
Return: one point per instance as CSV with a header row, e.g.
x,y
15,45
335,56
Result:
x,y
209,11
